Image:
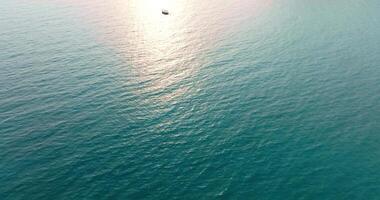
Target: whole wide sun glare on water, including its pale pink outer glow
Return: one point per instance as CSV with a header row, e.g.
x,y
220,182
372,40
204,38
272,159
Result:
x,y
165,51
